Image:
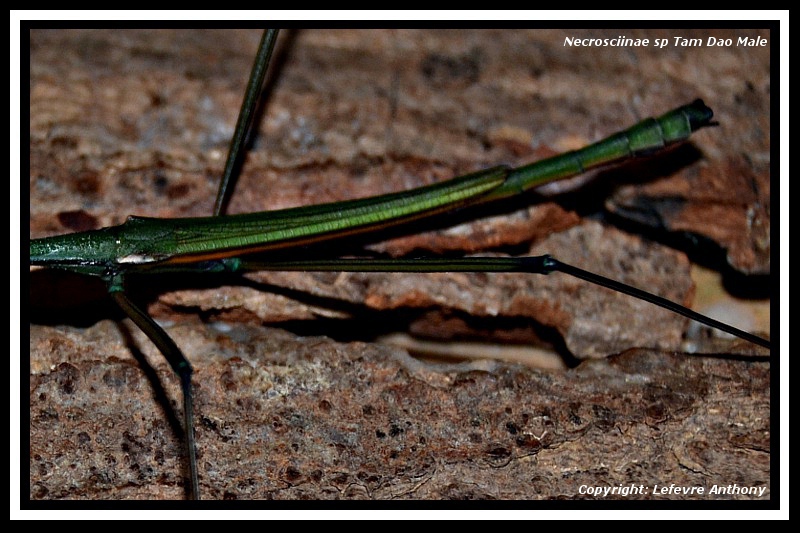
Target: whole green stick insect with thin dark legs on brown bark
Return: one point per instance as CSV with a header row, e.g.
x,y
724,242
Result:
x,y
129,254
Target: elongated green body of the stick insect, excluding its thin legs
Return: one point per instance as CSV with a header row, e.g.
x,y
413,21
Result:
x,y
146,242
